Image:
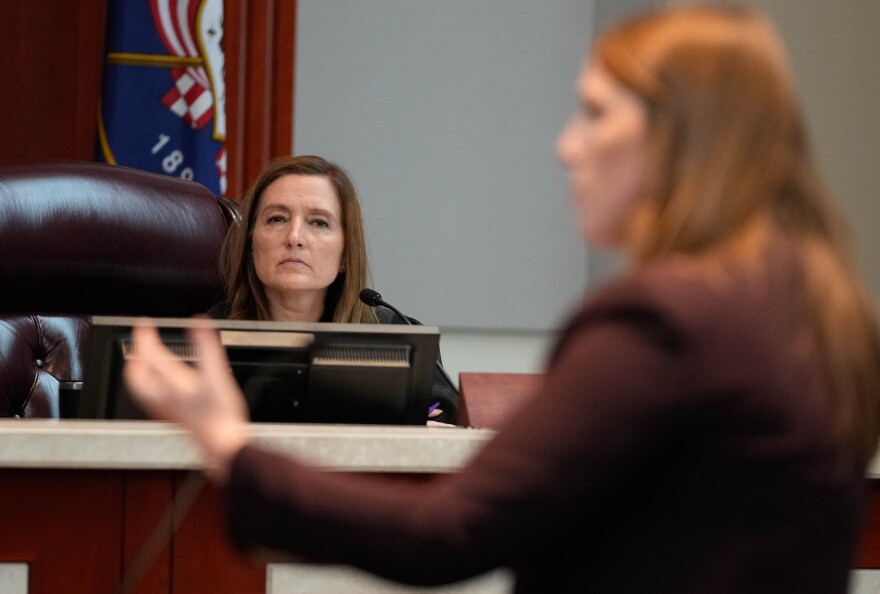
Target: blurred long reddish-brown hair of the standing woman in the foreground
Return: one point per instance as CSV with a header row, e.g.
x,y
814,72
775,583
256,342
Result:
x,y
732,167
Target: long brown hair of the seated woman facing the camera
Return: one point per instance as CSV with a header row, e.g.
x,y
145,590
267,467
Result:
x,y
245,295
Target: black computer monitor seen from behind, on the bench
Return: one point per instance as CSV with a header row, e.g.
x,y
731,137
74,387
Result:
x,y
289,372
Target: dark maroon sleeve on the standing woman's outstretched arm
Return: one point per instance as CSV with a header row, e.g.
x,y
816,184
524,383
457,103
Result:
x,y
610,388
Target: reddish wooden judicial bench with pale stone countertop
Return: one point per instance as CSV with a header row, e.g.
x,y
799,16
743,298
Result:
x,y
91,506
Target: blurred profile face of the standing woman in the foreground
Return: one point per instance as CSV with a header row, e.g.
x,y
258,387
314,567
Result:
x,y
604,149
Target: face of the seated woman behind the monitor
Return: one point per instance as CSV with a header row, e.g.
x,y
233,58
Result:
x,y
298,238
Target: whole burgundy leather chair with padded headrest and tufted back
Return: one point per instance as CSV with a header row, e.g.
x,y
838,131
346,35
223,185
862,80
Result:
x,y
79,239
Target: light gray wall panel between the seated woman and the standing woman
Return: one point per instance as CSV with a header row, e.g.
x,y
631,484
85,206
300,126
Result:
x,y
446,115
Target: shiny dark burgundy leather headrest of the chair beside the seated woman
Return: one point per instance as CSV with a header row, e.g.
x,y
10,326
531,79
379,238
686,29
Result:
x,y
85,237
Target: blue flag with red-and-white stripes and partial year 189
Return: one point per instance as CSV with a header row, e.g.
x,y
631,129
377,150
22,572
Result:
x,y
163,101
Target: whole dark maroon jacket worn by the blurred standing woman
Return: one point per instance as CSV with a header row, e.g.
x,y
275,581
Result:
x,y
679,443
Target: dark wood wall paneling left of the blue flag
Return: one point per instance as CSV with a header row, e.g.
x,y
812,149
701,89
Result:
x,y
52,64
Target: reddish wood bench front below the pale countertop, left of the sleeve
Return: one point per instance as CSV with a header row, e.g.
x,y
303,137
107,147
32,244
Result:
x,y
95,531
